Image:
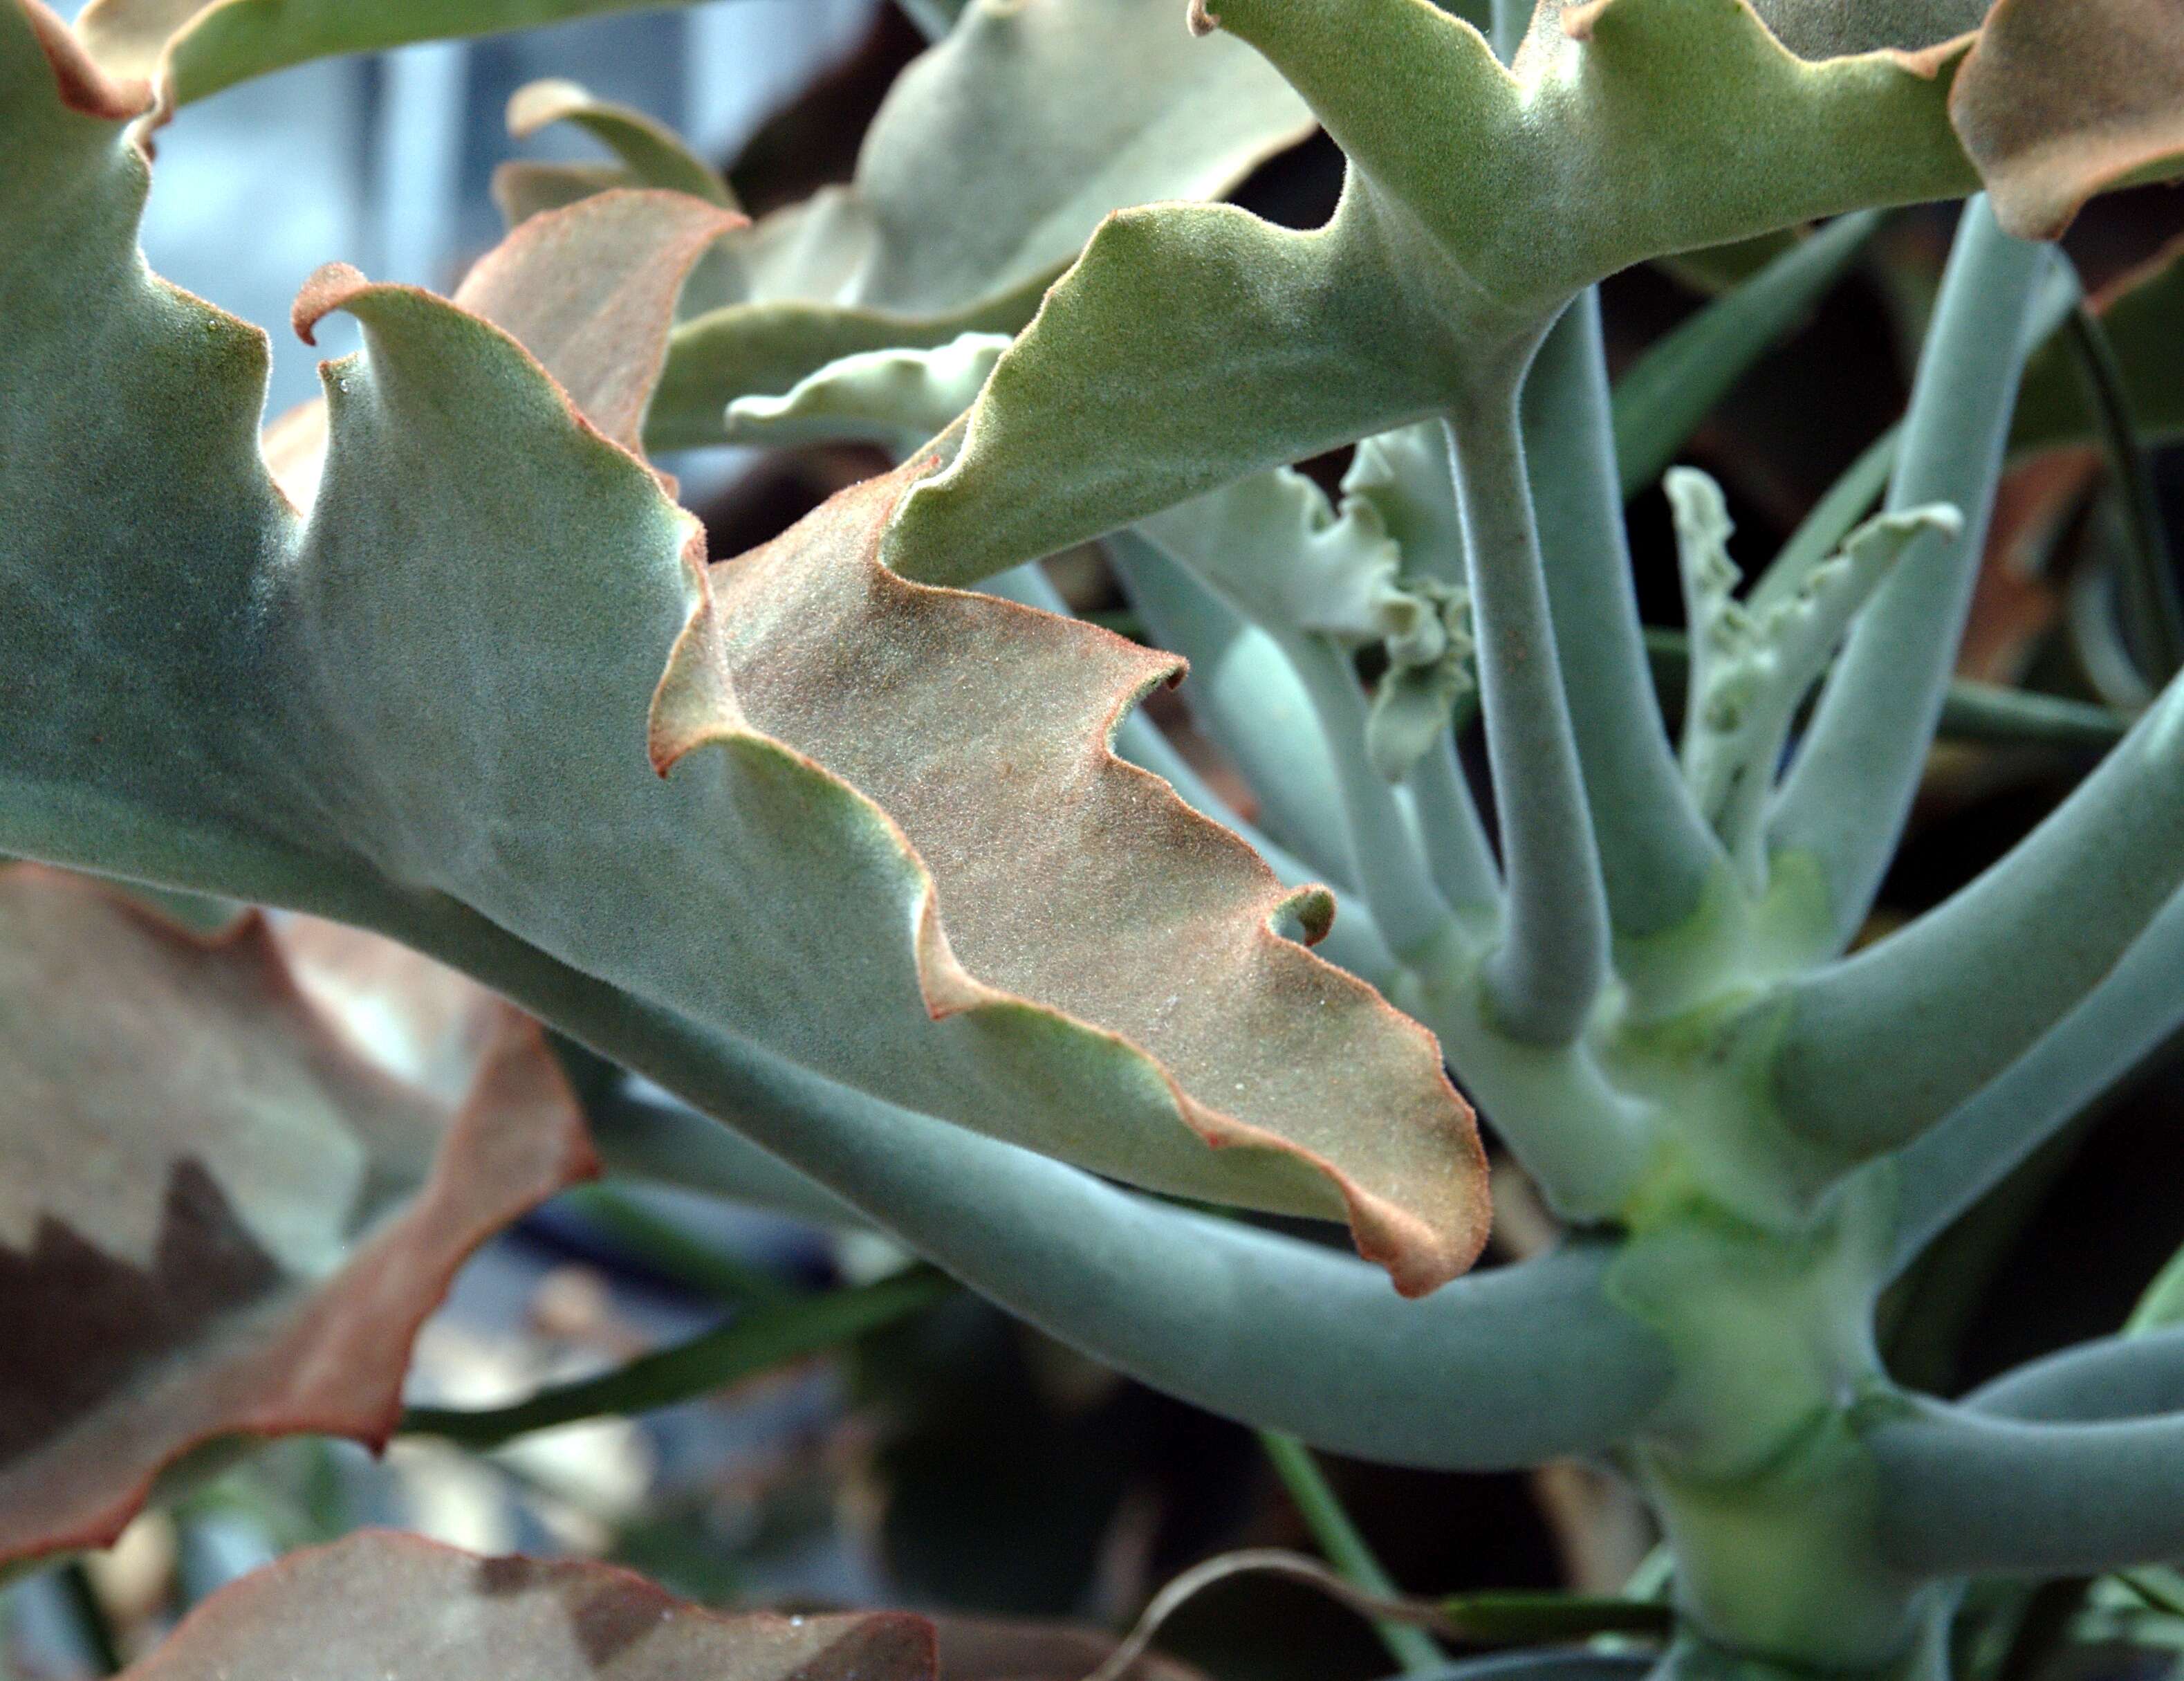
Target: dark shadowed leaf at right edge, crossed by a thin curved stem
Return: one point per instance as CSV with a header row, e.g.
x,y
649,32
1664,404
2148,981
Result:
x,y
2139,311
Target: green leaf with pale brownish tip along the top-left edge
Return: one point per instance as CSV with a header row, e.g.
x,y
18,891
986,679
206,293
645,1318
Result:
x,y
200,47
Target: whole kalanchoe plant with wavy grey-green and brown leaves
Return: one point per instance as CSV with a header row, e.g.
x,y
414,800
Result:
x,y
888,880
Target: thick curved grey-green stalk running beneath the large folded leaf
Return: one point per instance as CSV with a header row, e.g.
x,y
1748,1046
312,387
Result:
x,y
1202,1308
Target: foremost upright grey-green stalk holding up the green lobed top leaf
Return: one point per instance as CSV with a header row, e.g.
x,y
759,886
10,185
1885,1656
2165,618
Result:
x,y
1554,956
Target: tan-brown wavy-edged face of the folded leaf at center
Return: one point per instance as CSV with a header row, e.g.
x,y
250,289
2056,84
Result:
x,y
1047,895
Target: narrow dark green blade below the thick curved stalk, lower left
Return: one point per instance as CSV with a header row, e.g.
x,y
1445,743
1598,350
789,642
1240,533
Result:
x,y
750,1345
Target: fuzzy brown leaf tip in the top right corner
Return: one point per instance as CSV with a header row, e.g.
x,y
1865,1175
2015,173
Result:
x,y
2063,102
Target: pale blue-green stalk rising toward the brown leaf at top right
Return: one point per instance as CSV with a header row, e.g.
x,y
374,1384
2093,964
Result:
x,y
1851,786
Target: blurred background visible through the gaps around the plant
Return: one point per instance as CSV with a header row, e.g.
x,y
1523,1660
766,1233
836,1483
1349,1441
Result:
x,y
953,1459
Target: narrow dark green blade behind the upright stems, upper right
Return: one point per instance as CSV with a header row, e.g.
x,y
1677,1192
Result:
x,y
1663,399
